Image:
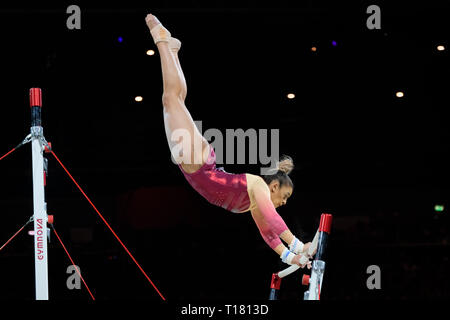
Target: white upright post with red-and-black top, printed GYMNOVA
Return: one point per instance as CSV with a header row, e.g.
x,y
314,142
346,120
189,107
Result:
x,y
39,206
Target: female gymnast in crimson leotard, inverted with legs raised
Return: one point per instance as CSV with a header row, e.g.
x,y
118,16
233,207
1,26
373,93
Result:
x,y
234,192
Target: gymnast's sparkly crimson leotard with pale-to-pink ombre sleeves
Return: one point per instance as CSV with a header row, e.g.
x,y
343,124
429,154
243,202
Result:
x,y
238,193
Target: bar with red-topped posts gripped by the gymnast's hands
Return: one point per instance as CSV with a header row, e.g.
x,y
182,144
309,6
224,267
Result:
x,y
318,266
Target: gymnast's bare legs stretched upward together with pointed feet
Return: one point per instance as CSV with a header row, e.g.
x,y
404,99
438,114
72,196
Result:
x,y
178,122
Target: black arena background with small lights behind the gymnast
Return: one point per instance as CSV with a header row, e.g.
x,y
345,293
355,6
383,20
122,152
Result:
x,y
368,131
